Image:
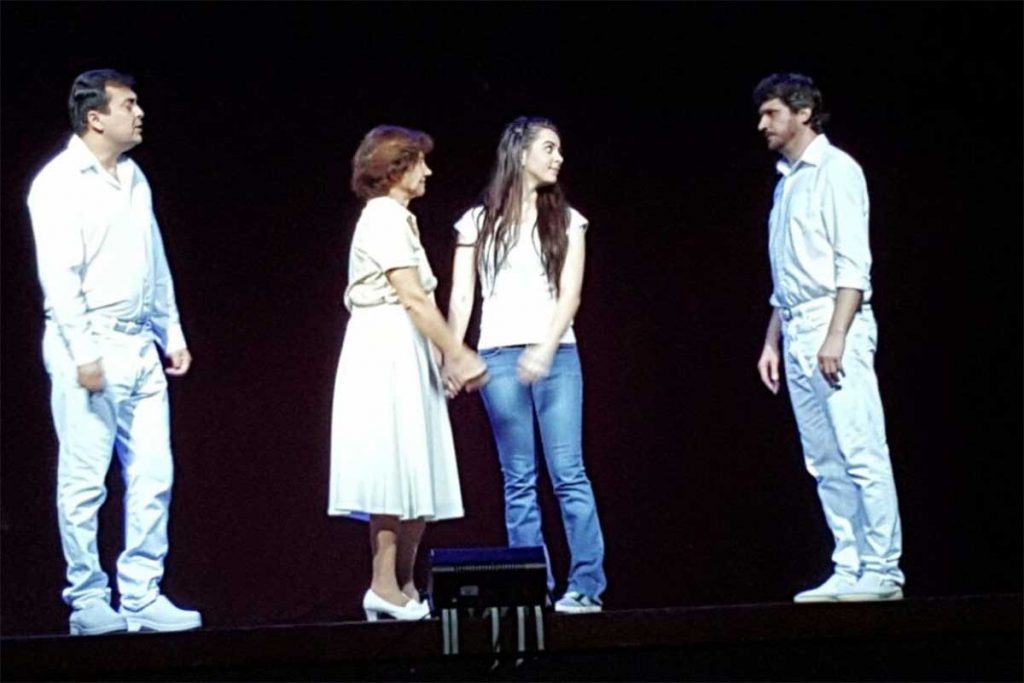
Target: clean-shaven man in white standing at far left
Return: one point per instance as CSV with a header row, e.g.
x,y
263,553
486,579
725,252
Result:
x,y
109,297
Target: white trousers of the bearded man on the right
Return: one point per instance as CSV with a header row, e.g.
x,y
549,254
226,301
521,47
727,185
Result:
x,y
844,439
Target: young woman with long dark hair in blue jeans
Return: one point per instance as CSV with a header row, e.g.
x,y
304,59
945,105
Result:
x,y
526,245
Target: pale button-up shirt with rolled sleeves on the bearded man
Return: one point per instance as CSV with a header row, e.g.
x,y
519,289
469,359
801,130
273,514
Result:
x,y
818,235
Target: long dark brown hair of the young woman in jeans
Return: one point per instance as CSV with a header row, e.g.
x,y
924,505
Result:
x,y
499,229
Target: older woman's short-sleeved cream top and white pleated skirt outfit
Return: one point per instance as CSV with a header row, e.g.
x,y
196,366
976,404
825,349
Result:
x,y
392,446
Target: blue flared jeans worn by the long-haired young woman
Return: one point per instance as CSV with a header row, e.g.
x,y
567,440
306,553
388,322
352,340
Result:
x,y
558,402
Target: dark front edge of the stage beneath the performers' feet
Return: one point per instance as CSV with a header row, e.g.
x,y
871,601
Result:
x,y
929,638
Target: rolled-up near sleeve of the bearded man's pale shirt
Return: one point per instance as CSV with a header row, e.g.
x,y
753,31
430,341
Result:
x,y
846,216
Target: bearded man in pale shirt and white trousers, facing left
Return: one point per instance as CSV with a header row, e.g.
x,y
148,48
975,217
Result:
x,y
821,265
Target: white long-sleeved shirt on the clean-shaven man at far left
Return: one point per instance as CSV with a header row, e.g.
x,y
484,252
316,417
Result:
x,y
100,252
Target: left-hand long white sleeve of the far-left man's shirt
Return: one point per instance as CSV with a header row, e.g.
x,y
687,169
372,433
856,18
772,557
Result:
x,y
61,258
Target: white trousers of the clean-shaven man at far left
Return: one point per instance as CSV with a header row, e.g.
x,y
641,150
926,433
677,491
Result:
x,y
131,416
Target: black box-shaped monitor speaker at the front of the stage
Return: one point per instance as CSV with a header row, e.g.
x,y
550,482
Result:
x,y
472,578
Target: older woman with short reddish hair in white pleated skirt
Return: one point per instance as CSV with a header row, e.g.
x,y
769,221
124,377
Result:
x,y
393,458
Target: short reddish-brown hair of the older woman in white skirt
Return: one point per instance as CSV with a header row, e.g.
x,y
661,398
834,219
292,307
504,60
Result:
x,y
385,156
